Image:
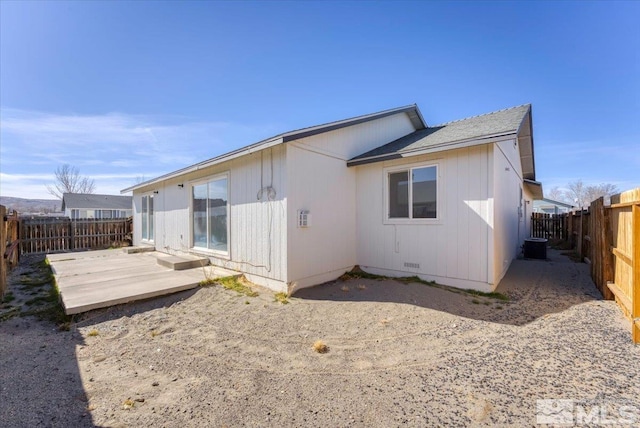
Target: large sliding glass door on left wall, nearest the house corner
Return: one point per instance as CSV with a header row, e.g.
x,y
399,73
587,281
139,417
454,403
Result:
x,y
210,211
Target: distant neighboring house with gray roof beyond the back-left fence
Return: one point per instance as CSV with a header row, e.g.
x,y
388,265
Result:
x,y
84,205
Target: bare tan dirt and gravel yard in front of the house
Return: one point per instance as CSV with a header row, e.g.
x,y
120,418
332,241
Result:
x,y
398,354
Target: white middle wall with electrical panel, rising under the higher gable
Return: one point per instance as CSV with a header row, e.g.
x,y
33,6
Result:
x,y
321,183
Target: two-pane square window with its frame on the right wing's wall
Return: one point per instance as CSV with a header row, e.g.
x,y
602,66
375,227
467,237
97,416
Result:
x,y
412,193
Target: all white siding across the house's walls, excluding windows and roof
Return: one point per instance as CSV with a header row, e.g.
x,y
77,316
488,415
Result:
x,y
478,231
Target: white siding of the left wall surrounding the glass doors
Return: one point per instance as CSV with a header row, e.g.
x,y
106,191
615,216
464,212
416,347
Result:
x,y
257,228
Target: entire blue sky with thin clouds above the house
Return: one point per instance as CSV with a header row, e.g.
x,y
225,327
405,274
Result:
x,y
123,90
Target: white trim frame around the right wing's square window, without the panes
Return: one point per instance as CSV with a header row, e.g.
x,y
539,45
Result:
x,y
439,194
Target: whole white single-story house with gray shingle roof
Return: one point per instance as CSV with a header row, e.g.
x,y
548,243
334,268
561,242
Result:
x,y
449,203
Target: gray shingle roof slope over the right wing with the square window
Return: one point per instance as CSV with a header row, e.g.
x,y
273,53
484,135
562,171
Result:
x,y
488,125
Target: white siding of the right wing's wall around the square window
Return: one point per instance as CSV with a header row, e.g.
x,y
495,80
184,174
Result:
x,y
452,250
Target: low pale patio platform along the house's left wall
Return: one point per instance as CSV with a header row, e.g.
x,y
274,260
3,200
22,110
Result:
x,y
97,279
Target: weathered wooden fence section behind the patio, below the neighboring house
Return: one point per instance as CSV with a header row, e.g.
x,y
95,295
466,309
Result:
x,y
58,234
